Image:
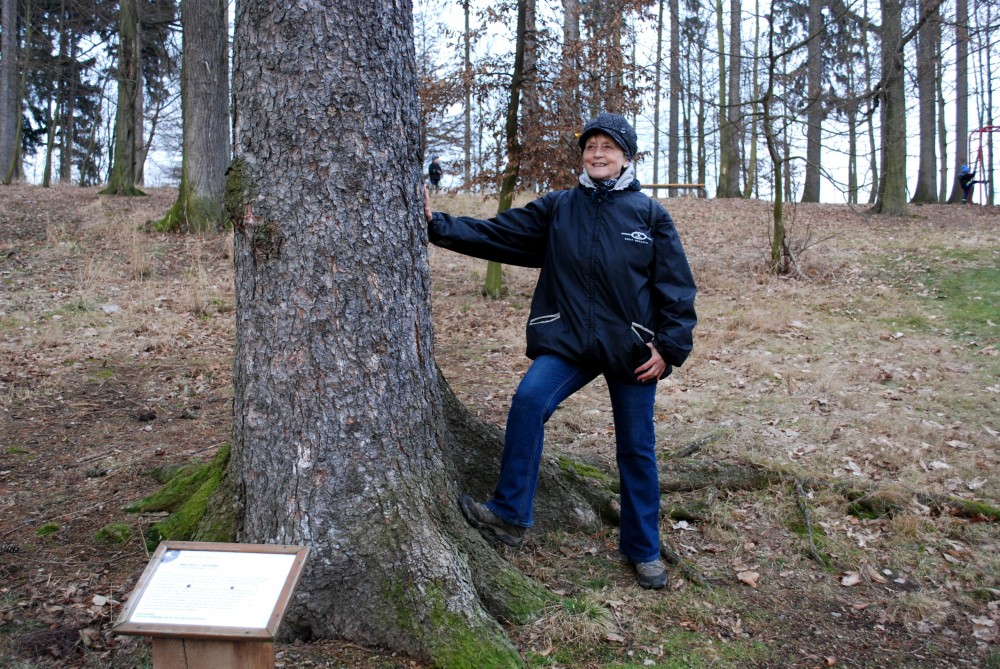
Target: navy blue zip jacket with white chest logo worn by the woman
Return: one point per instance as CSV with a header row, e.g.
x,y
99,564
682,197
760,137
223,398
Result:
x,y
614,275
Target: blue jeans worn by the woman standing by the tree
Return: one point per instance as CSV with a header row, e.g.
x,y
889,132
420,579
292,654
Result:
x,y
549,381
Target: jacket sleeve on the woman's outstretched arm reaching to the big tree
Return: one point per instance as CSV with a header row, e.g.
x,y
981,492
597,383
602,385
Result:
x,y
517,236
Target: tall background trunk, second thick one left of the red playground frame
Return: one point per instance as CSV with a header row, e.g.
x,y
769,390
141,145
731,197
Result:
x,y
926,190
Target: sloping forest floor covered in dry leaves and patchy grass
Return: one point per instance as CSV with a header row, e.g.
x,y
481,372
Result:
x,y
875,368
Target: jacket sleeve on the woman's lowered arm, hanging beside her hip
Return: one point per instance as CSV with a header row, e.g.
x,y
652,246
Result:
x,y
673,292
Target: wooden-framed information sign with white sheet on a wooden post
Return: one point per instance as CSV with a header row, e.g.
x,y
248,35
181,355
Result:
x,y
213,605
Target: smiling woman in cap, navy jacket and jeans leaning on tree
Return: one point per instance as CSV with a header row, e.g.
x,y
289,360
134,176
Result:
x,y
615,297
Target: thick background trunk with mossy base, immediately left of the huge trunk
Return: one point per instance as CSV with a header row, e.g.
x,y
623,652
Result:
x,y
205,102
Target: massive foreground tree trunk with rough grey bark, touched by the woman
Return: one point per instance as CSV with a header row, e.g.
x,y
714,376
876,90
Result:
x,y
345,438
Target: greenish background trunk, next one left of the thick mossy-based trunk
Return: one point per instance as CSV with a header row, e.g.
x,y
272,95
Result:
x,y
123,169
